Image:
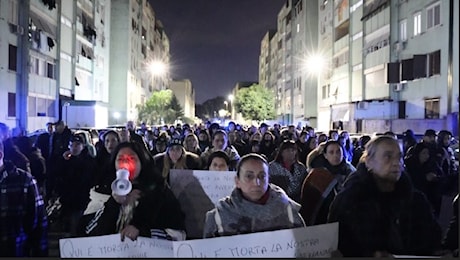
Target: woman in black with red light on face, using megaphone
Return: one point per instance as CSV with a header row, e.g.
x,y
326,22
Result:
x,y
150,209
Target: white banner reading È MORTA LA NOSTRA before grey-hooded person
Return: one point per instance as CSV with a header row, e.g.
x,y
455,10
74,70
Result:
x,y
312,242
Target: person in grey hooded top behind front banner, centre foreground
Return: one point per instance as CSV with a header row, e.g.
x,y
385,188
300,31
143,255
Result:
x,y
255,205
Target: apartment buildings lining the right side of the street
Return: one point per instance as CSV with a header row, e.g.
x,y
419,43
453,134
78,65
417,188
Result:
x,y
385,68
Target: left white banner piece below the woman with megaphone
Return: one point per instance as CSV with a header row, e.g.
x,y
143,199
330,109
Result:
x,y
110,246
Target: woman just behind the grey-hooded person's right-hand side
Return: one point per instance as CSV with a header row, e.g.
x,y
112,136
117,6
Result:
x,y
287,171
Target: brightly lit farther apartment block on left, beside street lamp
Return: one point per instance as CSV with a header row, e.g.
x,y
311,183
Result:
x,y
137,40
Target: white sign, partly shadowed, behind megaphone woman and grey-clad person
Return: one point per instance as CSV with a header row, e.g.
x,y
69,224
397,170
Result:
x,y
197,192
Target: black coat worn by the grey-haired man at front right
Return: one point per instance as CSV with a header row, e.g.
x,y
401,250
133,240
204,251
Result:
x,y
399,222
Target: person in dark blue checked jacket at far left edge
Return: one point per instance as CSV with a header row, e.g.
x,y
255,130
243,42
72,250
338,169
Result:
x,y
23,223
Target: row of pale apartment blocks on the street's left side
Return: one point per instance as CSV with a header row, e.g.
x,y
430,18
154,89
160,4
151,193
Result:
x,y
63,54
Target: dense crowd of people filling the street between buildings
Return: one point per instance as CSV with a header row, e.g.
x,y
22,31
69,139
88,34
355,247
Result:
x,y
386,195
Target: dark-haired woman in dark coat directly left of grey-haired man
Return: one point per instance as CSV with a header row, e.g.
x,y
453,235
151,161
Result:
x,y
315,198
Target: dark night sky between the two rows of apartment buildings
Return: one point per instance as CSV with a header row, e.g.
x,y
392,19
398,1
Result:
x,y
216,43
